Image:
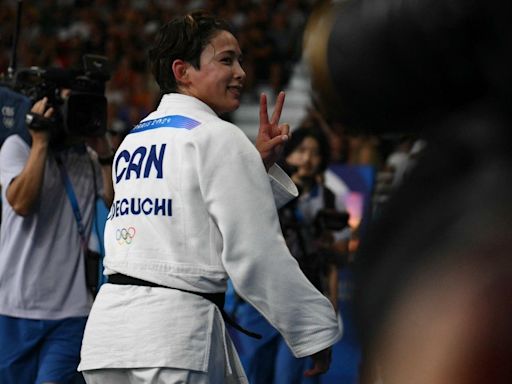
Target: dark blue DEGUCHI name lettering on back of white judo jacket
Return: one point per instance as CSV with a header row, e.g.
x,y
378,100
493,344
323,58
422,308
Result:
x,y
140,206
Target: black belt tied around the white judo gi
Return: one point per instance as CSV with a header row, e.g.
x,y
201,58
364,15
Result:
x,y
216,298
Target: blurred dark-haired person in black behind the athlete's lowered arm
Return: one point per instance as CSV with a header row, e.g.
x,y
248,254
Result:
x,y
315,229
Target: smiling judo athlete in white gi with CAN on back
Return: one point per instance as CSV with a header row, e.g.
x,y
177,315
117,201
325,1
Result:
x,y
193,207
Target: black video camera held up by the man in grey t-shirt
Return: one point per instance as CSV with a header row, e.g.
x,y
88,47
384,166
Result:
x,y
76,95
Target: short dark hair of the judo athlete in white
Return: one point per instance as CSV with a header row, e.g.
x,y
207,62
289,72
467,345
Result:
x,y
183,38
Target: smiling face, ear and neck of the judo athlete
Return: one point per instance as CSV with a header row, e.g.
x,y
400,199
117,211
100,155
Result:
x,y
218,81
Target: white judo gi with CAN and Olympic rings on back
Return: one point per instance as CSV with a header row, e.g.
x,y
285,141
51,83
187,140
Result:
x,y
193,207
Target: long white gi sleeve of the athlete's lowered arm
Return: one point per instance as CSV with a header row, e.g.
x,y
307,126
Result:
x,y
263,272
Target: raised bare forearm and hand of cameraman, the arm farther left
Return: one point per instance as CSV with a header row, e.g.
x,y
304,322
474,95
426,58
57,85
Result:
x,y
23,191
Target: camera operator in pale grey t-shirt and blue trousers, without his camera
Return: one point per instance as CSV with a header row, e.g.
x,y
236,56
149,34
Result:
x,y
44,300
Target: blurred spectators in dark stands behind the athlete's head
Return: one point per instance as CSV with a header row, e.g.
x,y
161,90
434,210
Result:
x,y
57,33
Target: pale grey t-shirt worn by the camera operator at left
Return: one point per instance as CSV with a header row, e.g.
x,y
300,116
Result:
x,y
41,264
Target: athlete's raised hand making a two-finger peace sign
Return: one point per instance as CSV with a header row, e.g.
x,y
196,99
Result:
x,y
271,134
